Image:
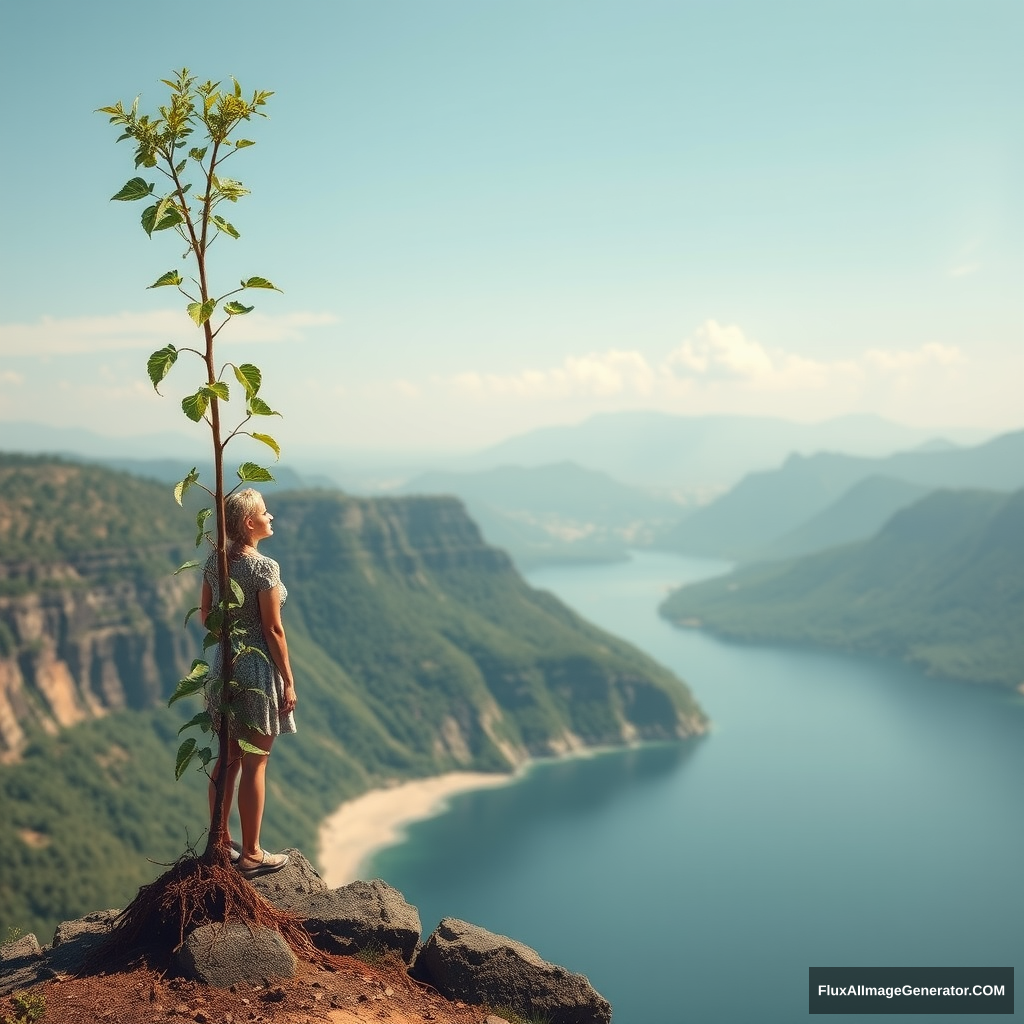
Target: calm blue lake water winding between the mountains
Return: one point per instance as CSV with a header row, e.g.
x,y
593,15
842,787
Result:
x,y
843,813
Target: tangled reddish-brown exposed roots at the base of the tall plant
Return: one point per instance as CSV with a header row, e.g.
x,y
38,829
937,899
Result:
x,y
193,893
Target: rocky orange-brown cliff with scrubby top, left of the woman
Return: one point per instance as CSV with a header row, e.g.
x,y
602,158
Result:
x,y
90,615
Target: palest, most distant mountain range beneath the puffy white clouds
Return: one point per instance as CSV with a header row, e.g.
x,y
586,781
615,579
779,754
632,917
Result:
x,y
698,455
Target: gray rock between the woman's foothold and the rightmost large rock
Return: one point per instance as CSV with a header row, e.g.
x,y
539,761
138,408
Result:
x,y
362,917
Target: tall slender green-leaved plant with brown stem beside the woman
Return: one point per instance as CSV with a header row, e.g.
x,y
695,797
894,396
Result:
x,y
190,204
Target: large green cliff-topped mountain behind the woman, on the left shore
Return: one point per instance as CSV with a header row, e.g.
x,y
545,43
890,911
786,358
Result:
x,y
417,650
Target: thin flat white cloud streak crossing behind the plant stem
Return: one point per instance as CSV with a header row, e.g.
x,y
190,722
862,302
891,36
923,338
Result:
x,y
82,335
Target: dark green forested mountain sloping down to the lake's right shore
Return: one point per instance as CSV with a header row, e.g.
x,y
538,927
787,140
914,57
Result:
x,y
942,586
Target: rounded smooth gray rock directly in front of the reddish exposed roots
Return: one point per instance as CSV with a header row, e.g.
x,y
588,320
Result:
x,y
225,955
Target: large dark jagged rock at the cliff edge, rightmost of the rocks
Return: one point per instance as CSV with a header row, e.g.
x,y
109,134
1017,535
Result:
x,y
465,962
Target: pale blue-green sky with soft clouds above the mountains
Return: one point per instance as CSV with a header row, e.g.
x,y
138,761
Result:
x,y
488,217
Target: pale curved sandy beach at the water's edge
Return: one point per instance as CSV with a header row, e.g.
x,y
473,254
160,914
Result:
x,y
350,837
